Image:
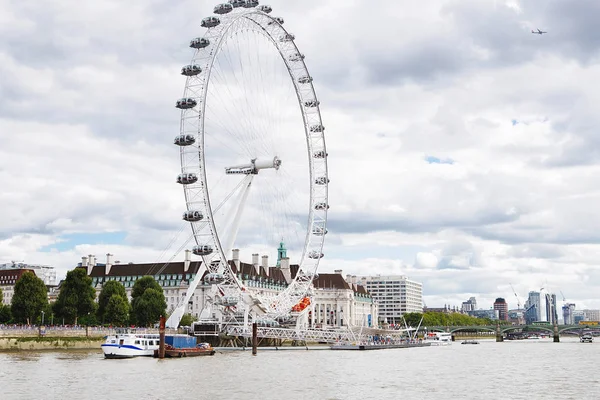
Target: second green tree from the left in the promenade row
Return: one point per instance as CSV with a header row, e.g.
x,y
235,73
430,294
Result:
x,y
76,297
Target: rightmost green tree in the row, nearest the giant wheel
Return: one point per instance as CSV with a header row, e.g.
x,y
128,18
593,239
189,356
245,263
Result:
x,y
147,301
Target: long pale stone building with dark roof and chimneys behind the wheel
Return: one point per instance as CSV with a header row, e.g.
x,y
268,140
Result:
x,y
335,302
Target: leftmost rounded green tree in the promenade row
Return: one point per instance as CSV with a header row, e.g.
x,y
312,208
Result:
x,y
30,298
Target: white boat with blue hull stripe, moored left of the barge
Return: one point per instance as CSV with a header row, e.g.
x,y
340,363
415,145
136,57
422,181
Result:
x,y
128,343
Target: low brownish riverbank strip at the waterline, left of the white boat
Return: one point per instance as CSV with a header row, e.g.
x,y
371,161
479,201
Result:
x,y
50,343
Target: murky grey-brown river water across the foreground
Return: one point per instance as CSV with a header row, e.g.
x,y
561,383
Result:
x,y
513,370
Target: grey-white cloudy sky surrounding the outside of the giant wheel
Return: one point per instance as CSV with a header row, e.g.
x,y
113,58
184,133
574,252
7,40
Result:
x,y
463,149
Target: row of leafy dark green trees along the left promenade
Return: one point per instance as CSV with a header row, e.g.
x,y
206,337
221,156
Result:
x,y
76,302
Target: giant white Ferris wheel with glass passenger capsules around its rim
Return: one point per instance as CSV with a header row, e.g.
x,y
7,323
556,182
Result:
x,y
252,150
